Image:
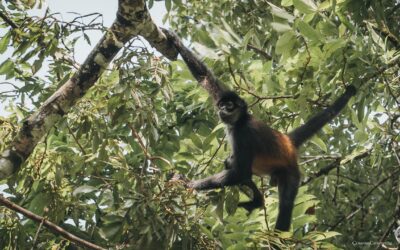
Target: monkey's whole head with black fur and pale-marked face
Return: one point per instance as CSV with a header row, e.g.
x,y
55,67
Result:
x,y
231,108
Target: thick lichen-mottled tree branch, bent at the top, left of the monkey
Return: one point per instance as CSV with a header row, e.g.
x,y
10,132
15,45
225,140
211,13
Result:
x,y
132,19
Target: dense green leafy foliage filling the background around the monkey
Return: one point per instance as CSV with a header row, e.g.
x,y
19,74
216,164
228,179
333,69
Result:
x,y
102,173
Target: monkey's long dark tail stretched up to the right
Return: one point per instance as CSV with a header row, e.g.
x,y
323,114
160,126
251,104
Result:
x,y
304,132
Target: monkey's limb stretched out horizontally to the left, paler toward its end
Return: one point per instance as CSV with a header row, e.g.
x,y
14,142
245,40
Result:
x,y
227,177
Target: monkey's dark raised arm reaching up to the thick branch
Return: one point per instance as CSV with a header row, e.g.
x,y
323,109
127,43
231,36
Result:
x,y
198,69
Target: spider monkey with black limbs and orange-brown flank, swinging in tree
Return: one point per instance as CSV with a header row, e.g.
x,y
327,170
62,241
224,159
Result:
x,y
257,148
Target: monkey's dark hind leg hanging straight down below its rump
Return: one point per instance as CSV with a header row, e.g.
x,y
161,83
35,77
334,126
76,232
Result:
x,y
288,184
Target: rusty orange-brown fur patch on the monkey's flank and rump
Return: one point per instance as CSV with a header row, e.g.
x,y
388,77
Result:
x,y
266,163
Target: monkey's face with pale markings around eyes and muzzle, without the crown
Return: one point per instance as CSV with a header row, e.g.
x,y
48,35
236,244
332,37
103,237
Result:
x,y
230,111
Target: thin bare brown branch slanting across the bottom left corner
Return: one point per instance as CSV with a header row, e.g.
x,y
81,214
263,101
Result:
x,y
51,226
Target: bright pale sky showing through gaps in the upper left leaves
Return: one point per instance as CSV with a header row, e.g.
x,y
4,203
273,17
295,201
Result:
x,y
107,8
